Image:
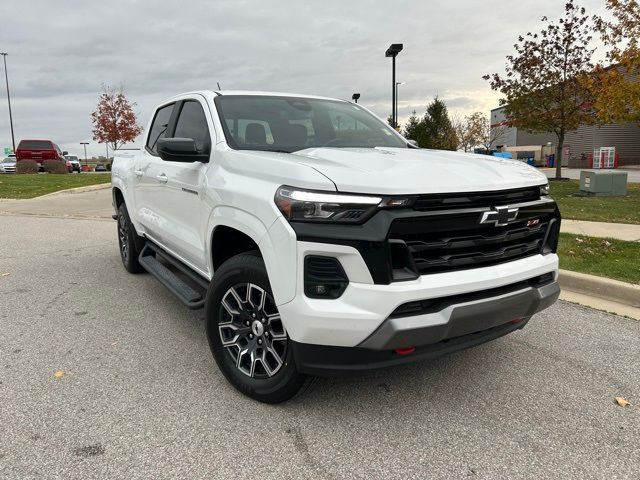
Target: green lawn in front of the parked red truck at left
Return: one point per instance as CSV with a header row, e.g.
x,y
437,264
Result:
x,y
34,185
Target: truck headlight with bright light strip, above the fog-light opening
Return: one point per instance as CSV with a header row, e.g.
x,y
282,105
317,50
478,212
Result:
x,y
305,205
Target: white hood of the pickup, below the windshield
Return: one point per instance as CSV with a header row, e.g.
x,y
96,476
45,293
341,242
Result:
x,y
404,171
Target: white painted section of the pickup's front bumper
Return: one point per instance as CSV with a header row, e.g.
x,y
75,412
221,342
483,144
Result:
x,y
364,306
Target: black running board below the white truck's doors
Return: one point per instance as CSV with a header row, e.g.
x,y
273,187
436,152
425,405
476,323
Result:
x,y
185,293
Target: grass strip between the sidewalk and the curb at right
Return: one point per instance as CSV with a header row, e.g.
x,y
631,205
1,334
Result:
x,y
599,256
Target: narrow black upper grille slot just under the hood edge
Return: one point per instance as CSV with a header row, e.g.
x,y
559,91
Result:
x,y
476,200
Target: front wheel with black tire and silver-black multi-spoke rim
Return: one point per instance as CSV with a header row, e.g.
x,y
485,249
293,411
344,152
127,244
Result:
x,y
246,335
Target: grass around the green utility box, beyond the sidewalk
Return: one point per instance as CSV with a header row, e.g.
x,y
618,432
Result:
x,y
597,209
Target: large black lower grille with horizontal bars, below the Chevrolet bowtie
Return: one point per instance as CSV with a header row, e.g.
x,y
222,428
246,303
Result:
x,y
457,240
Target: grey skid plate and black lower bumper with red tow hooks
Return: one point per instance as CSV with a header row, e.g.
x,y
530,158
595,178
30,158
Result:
x,y
408,339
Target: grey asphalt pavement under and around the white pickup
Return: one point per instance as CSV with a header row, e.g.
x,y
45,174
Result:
x,y
141,397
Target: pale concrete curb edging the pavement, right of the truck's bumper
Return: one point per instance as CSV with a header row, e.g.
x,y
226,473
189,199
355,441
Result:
x,y
604,288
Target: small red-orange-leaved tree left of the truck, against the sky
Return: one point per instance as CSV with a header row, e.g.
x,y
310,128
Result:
x,y
114,121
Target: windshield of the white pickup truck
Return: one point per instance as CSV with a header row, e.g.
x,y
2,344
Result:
x,y
287,124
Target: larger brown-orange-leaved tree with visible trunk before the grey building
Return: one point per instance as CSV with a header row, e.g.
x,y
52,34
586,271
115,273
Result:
x,y
544,88
